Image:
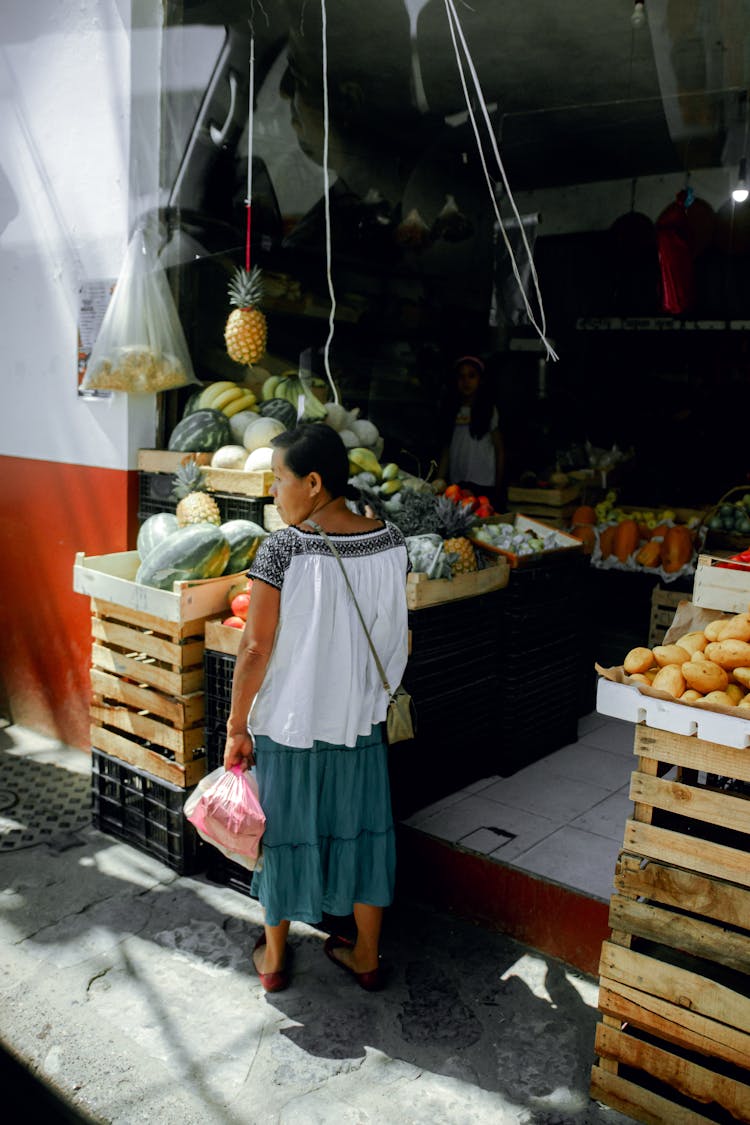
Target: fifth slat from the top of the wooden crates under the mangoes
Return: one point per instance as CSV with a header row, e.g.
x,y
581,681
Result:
x,y
681,932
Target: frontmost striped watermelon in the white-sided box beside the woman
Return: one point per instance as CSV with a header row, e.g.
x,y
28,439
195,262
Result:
x,y
198,552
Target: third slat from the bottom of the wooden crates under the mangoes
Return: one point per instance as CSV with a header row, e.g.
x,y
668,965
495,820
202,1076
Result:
x,y
676,1024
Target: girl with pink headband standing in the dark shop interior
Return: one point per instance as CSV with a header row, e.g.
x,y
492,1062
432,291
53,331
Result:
x,y
473,455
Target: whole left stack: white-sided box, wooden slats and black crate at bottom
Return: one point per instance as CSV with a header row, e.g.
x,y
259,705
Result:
x,y
148,701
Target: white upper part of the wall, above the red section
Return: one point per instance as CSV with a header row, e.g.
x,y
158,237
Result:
x,y
66,212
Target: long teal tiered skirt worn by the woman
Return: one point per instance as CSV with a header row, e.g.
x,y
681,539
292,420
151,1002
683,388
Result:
x,y
329,840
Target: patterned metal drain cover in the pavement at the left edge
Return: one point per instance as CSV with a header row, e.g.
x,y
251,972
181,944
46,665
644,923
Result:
x,y
40,802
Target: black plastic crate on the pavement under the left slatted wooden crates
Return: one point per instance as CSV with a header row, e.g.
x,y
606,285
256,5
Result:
x,y
146,812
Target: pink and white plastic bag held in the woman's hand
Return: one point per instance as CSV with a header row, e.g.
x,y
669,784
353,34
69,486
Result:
x,y
225,812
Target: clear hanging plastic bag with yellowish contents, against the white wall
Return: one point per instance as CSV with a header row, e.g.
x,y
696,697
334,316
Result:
x,y
141,347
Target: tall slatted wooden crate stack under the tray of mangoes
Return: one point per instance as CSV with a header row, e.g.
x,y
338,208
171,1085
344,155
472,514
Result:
x,y
674,1043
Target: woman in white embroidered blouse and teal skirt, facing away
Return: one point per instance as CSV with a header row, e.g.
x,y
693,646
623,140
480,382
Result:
x,y
306,681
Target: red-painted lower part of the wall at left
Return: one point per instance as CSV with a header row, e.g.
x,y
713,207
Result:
x,y
49,512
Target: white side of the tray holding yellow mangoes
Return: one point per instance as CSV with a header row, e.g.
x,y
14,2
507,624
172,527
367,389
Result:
x,y
625,701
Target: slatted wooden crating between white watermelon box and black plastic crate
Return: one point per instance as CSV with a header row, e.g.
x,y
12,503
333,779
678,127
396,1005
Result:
x,y
148,692
